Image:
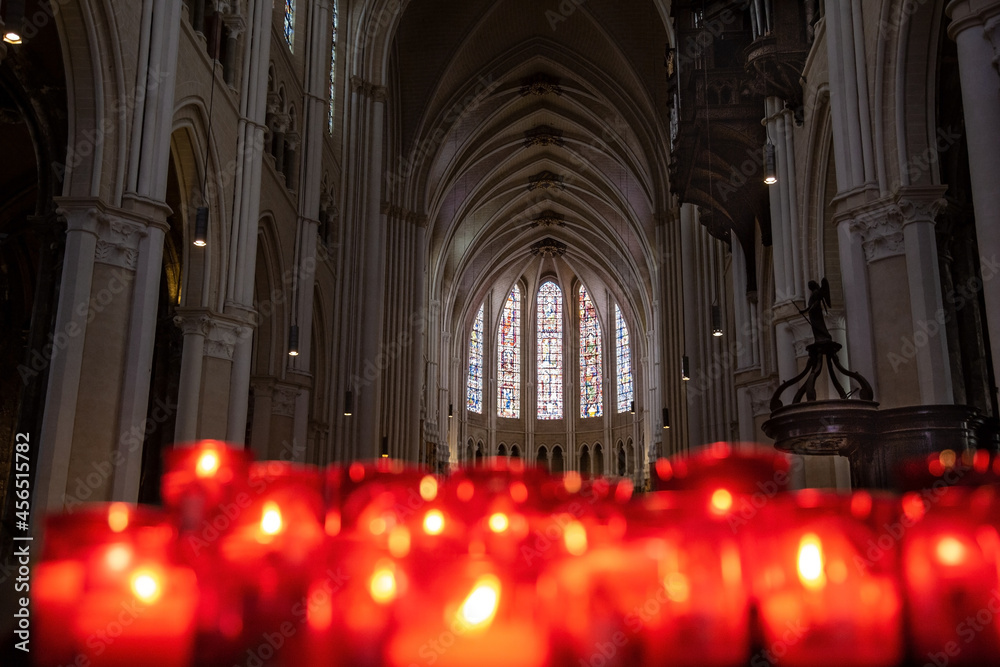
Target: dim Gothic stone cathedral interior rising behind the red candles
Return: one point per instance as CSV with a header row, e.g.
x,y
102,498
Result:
x,y
585,234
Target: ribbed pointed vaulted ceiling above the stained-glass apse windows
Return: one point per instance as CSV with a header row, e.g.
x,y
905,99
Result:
x,y
516,121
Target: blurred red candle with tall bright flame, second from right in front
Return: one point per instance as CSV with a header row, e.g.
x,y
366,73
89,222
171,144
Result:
x,y
822,603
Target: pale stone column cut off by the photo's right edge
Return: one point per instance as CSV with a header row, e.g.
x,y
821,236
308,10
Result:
x,y
975,27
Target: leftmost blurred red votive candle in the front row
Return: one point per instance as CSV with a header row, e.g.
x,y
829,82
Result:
x,y
108,588
